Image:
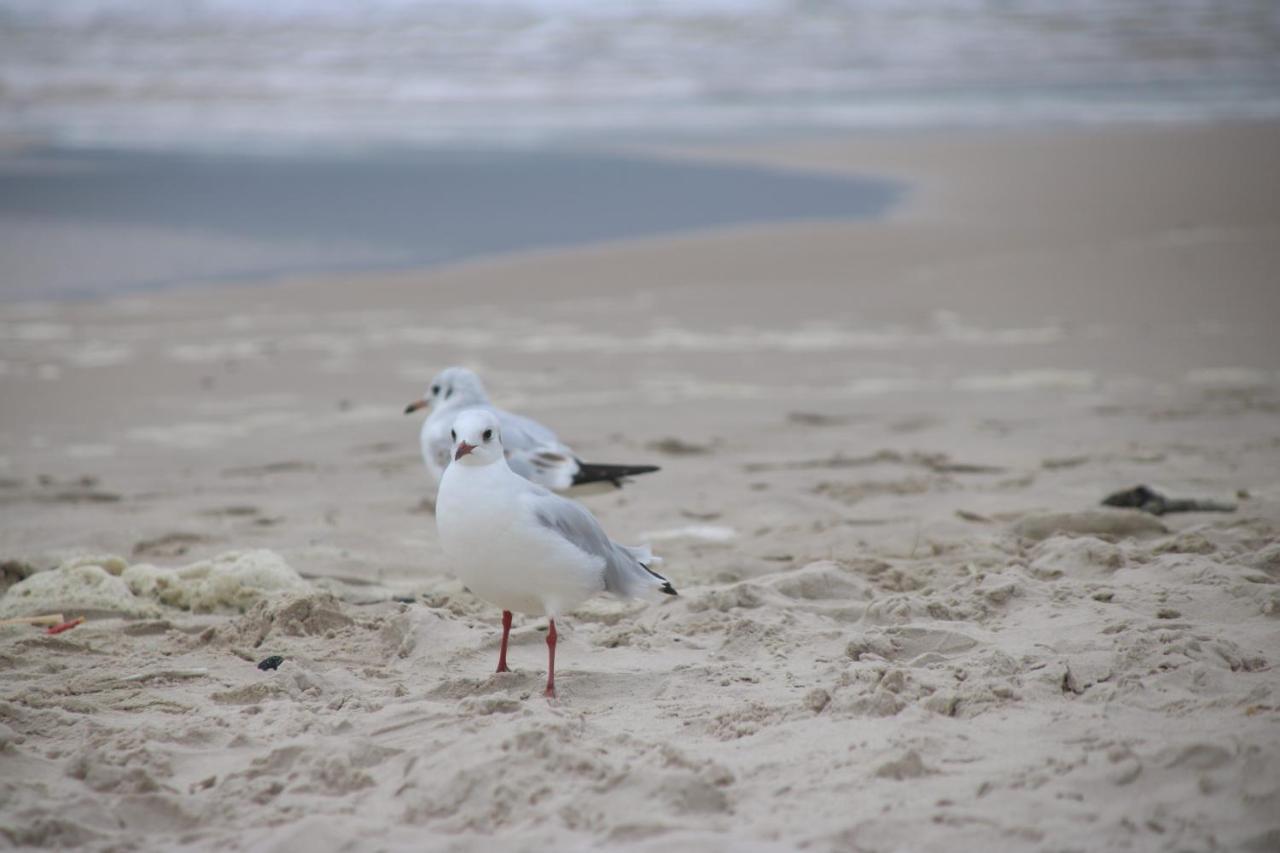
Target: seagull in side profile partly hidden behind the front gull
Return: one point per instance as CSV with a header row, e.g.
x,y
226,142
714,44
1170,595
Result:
x,y
533,450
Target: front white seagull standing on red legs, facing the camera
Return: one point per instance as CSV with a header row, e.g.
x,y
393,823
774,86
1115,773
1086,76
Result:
x,y
524,549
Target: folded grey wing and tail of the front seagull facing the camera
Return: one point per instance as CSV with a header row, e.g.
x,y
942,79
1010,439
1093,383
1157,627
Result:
x,y
627,571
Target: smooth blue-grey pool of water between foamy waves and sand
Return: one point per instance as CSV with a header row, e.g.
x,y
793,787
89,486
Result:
x,y
92,223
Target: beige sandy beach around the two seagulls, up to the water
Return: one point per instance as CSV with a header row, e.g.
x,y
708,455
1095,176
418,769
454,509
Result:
x,y
904,622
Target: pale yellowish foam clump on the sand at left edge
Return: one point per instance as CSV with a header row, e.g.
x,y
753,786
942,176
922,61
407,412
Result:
x,y
231,581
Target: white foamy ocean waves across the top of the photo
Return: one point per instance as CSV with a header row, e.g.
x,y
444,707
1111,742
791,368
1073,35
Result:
x,y
510,72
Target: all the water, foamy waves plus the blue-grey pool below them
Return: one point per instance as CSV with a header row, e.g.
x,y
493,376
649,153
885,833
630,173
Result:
x,y
194,142
